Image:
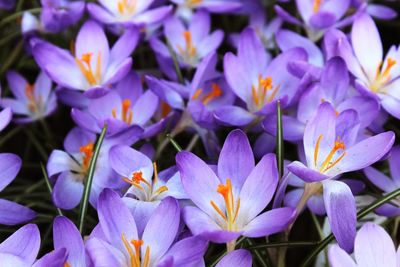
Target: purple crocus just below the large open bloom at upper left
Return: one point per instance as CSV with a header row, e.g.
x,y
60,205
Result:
x,y
127,105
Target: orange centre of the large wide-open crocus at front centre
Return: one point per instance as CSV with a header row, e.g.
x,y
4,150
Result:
x,y
232,208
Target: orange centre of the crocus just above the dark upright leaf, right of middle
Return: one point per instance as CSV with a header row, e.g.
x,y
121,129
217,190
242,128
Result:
x,y
260,93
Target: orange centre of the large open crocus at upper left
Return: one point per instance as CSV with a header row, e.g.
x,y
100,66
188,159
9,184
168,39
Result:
x,y
92,76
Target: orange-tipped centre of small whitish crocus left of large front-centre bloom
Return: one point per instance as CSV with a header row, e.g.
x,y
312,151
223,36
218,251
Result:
x,y
143,185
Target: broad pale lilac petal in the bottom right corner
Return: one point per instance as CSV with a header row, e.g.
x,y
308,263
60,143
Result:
x,y
374,247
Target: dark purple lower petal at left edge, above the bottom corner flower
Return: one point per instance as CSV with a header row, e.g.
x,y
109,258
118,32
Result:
x,y
12,213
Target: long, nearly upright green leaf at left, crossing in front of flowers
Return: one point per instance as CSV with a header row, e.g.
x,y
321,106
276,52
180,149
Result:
x,y
89,179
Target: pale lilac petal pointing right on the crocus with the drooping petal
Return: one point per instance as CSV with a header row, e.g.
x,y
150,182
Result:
x,y
366,153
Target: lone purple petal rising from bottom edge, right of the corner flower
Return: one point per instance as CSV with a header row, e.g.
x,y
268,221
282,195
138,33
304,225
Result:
x,y
66,236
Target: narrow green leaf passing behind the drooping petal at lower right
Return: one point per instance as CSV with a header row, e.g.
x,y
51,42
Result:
x,y
361,214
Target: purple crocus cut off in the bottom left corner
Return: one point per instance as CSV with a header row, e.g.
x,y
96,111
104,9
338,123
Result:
x,y
22,247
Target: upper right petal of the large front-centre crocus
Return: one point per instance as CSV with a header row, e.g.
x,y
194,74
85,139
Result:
x,y
258,188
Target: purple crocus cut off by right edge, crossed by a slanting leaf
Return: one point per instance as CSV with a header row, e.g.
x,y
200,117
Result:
x,y
385,183
